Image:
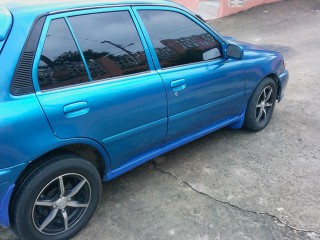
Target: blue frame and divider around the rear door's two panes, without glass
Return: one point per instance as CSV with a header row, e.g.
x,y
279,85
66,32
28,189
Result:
x,y
65,15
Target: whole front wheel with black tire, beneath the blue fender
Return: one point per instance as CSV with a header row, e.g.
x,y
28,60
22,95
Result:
x,y
261,105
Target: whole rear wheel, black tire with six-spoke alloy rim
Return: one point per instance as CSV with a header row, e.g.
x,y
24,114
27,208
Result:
x,y
66,187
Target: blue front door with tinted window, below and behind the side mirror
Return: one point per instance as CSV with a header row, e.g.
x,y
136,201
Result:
x,y
203,86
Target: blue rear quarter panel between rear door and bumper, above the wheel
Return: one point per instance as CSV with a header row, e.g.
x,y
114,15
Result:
x,y
24,130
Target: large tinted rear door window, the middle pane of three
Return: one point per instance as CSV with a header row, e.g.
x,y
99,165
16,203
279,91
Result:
x,y
110,43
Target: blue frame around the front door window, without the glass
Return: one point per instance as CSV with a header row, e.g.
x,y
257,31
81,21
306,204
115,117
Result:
x,y
194,19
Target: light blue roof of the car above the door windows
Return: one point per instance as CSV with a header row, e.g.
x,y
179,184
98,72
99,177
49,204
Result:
x,y
38,7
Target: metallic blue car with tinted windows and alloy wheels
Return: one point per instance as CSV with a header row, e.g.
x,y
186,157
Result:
x,y
90,90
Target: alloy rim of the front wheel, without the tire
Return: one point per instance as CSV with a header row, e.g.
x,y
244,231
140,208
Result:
x,y
264,105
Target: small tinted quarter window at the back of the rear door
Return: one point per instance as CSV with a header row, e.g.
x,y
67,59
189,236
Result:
x,y
60,62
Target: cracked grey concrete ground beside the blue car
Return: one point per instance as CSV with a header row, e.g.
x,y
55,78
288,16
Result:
x,y
233,184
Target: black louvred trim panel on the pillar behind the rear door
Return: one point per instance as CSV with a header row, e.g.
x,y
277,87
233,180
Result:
x,y
22,79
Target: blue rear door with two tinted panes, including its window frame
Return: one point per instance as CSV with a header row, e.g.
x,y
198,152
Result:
x,y
94,78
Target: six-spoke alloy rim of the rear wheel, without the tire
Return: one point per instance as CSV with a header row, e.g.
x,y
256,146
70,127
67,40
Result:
x,y
61,204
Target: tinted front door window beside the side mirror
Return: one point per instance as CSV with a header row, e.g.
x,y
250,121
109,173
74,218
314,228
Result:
x,y
177,39
